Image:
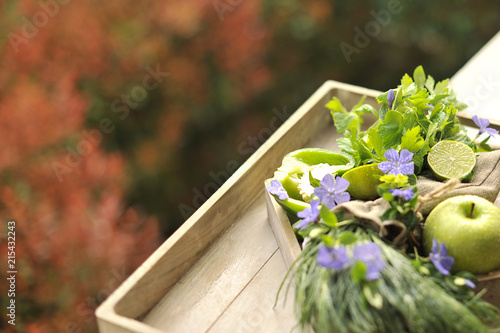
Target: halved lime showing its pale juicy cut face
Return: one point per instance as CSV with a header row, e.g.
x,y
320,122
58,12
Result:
x,y
451,159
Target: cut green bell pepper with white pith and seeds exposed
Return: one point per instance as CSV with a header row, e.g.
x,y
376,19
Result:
x,y
298,162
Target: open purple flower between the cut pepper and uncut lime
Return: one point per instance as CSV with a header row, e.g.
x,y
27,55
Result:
x,y
332,192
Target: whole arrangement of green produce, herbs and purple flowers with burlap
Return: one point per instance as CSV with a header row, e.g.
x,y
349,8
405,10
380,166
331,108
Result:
x,y
392,234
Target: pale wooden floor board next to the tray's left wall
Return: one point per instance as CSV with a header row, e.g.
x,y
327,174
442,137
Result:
x,y
203,294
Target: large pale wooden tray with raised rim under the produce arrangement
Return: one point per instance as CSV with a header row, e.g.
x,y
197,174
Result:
x,y
219,272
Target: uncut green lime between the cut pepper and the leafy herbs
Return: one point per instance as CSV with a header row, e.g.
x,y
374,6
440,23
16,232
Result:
x,y
363,181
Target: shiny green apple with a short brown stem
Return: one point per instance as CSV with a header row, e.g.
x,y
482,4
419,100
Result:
x,y
470,227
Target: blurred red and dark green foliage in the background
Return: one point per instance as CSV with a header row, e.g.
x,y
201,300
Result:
x,y
95,165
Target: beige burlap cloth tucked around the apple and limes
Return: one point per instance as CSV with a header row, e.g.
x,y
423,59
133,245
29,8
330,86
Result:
x,y
484,183
